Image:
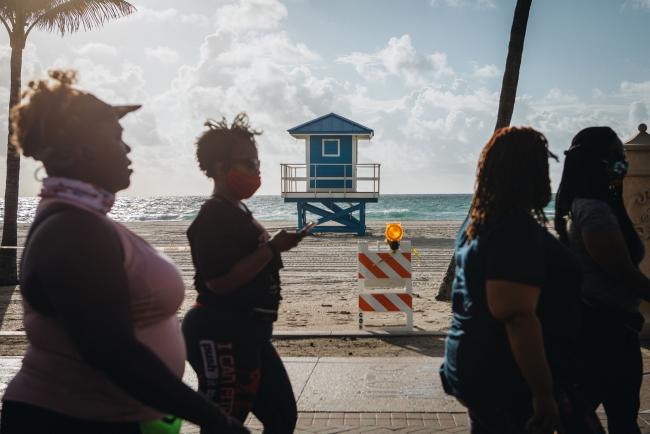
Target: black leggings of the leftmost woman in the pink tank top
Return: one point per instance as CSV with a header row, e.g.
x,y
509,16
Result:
x,y
21,418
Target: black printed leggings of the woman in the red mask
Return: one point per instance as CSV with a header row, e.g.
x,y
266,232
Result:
x,y
239,369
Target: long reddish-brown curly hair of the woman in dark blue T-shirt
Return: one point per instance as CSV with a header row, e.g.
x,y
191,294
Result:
x,y
511,178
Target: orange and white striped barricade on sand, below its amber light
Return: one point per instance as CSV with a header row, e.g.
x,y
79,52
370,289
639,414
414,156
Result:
x,y
385,281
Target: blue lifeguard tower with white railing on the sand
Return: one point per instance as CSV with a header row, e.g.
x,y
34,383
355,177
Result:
x,y
331,184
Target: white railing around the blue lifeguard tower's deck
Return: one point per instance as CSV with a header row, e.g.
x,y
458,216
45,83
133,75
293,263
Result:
x,y
330,179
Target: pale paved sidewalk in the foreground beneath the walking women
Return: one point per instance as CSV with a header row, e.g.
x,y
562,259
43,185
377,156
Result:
x,y
360,395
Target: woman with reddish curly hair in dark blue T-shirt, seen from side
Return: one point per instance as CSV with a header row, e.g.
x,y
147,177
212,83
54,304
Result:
x,y
515,300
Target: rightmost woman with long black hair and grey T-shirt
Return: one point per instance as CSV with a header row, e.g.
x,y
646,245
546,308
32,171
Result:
x,y
591,219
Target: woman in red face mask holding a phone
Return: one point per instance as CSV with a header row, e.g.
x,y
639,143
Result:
x,y
228,331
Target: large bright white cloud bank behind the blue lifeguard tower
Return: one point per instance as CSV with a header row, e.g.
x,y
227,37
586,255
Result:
x,y
276,80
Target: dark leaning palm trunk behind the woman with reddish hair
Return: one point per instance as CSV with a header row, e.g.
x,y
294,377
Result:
x,y
506,104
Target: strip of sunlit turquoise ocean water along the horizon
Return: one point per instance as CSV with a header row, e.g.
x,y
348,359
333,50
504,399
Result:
x,y
403,207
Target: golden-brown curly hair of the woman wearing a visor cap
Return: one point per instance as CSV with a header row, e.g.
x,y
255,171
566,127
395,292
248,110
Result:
x,y
51,111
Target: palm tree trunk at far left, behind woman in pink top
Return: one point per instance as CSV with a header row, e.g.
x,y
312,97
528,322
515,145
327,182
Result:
x,y
8,269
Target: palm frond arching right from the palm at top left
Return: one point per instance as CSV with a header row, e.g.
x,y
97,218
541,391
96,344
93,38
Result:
x,y
66,16
